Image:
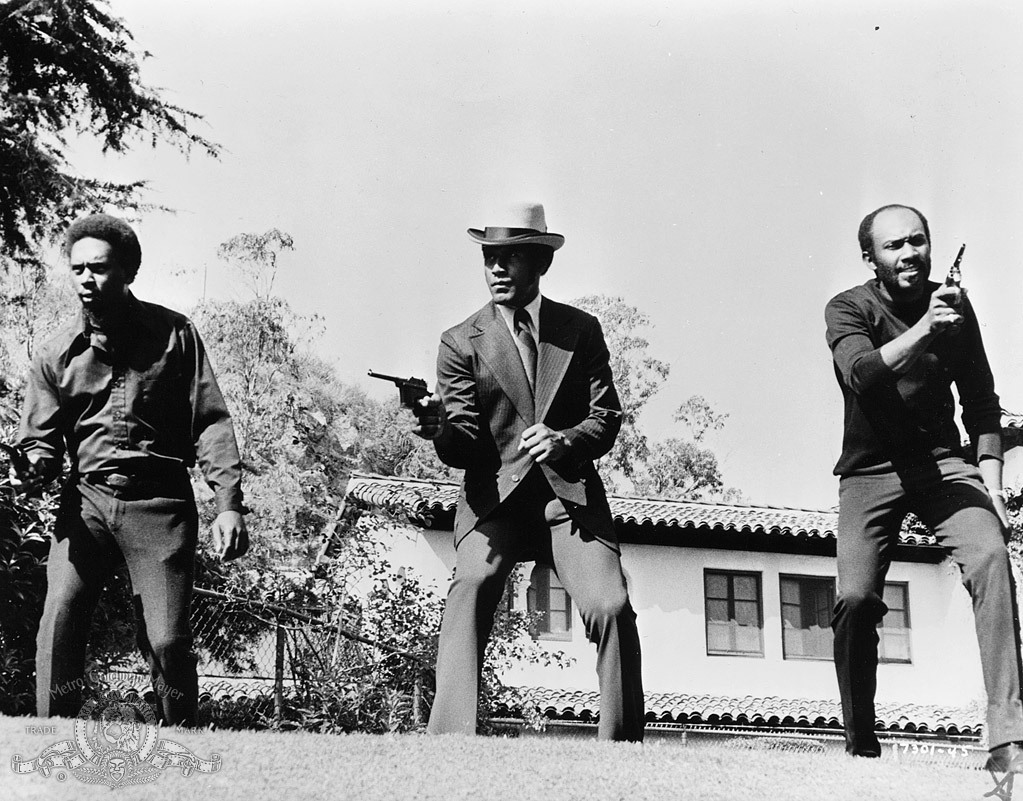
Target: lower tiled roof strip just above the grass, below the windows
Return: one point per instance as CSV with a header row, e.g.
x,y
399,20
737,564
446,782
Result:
x,y
771,713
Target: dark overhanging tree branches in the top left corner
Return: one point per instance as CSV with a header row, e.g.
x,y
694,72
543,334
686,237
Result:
x,y
70,68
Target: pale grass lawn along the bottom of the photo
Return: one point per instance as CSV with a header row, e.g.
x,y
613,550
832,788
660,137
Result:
x,y
266,766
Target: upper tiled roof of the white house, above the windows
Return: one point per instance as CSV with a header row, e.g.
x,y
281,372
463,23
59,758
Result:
x,y
428,501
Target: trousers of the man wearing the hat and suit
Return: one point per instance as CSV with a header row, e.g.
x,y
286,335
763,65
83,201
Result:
x,y
535,521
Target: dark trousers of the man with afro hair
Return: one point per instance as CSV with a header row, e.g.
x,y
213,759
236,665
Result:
x,y
97,530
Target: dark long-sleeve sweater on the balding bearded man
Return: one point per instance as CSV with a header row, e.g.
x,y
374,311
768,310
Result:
x,y
906,419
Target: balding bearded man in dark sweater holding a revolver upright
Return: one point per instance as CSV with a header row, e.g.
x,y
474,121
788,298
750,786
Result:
x,y
899,343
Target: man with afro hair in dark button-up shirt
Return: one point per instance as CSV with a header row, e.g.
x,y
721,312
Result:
x,y
127,391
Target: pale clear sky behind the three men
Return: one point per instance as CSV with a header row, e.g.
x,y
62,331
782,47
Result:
x,y
707,162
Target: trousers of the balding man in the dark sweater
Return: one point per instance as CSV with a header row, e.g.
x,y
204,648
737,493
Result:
x,y
953,502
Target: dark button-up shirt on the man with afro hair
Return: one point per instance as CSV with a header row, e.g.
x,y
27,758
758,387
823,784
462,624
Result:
x,y
144,399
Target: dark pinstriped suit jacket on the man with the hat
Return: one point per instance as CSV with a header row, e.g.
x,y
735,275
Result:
x,y
490,405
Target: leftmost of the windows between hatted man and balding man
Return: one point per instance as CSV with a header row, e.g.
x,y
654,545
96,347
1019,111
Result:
x,y
735,619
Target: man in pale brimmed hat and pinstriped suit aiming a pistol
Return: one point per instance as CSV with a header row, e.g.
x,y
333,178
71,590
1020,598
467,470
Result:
x,y
525,404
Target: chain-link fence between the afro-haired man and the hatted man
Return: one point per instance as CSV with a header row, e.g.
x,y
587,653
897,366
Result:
x,y
265,665
